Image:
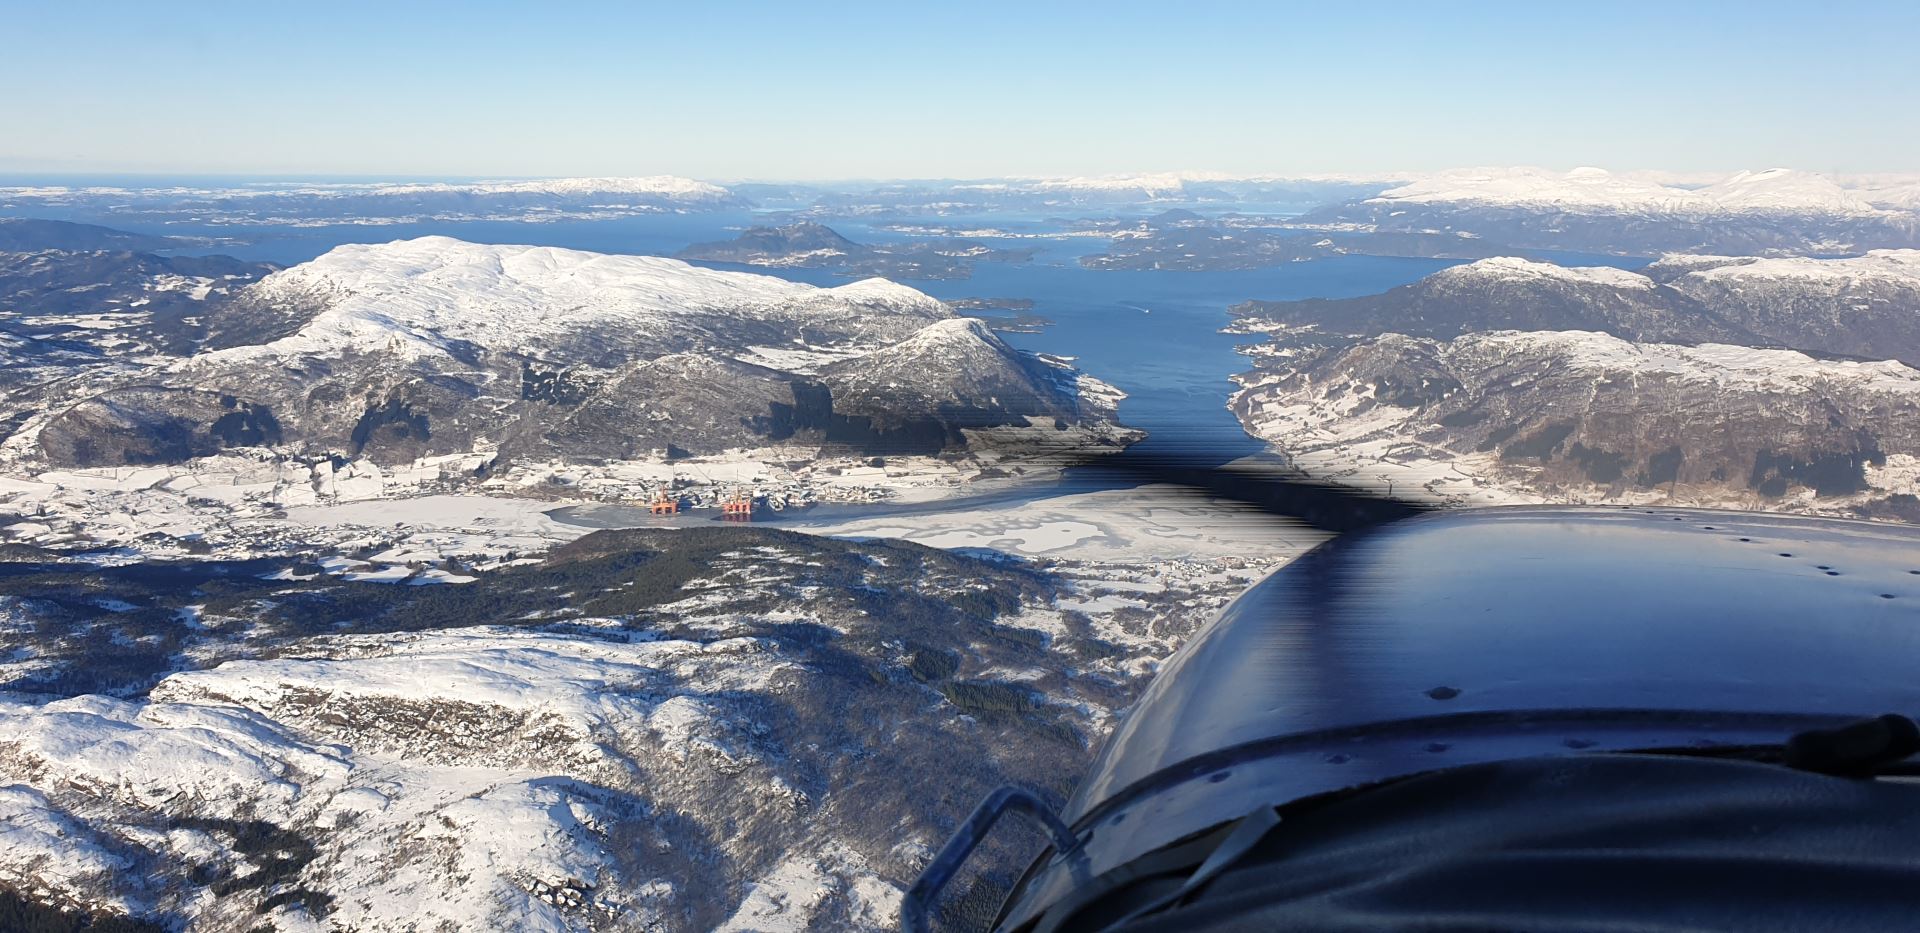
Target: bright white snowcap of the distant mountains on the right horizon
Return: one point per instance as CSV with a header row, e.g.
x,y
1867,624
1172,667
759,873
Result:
x,y
1775,191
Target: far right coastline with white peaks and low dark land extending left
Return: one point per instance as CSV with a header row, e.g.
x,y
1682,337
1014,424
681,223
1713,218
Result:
x,y
1535,214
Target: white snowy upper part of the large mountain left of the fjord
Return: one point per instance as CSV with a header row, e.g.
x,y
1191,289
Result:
x,y
416,297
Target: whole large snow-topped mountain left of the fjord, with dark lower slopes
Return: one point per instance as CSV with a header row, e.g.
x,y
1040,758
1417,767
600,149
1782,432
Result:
x,y
439,347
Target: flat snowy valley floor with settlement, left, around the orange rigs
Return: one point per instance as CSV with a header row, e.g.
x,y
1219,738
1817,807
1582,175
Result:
x,y
437,510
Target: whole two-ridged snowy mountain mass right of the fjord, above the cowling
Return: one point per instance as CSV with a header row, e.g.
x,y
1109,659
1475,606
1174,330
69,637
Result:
x,y
1525,381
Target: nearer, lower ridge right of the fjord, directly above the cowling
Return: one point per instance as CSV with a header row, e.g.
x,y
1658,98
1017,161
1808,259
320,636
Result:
x,y
1573,416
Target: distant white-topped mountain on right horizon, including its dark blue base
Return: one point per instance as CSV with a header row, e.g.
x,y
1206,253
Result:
x,y
1595,210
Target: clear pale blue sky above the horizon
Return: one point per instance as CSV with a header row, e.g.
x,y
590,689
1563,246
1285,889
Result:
x,y
957,89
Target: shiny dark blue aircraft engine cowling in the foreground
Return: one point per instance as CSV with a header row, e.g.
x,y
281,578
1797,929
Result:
x,y
1491,634
